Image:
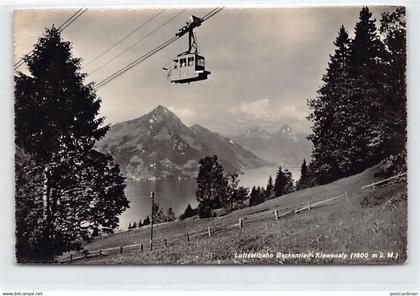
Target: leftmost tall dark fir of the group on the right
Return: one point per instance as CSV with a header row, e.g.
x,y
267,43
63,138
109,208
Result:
x,y
329,110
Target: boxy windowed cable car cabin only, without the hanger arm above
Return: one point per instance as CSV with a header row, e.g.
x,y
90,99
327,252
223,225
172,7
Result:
x,y
187,68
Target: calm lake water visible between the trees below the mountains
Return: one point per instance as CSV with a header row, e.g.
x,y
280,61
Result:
x,y
178,194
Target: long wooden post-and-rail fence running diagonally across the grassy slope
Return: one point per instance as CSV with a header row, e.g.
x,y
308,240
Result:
x,y
266,215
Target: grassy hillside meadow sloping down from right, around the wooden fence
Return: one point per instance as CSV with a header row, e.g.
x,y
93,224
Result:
x,y
342,226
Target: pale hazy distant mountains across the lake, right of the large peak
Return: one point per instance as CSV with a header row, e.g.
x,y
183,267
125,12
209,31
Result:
x,y
283,146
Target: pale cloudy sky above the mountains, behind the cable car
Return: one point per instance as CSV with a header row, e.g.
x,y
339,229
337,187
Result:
x,y
264,63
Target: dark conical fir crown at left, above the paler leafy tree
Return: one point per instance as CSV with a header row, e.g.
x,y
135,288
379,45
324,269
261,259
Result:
x,y
54,103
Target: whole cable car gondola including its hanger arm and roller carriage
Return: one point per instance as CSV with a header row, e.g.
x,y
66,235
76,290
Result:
x,y
188,66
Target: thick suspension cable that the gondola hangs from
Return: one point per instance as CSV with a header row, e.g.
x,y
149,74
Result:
x,y
149,54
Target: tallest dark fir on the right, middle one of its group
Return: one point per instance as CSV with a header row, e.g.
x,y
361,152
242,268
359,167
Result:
x,y
366,101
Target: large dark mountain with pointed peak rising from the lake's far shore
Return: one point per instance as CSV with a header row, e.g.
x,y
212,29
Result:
x,y
158,145
